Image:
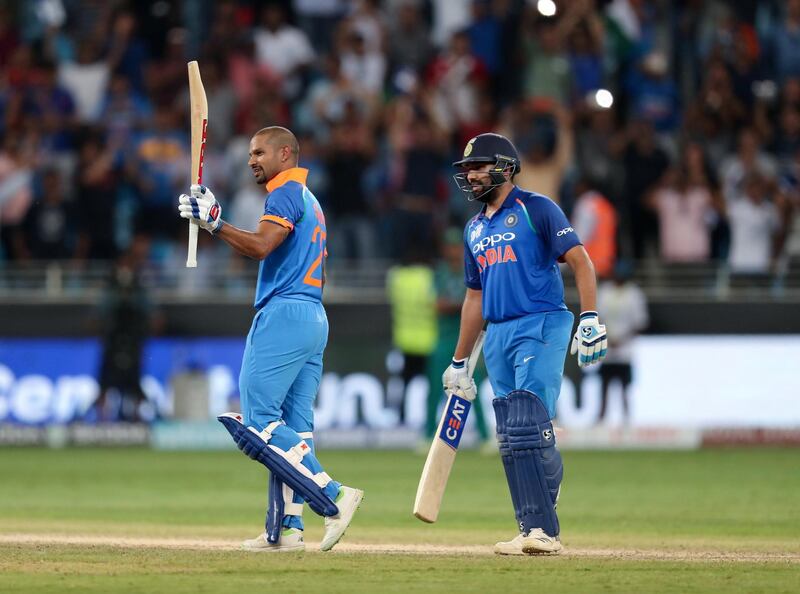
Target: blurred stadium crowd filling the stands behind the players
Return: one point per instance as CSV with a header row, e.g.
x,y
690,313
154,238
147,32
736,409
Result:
x,y
666,130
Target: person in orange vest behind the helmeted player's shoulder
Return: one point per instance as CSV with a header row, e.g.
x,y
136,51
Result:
x,y
595,221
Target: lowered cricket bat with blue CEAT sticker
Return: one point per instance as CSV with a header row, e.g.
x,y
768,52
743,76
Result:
x,y
442,454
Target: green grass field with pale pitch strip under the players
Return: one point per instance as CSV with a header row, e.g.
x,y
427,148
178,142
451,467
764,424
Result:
x,y
132,520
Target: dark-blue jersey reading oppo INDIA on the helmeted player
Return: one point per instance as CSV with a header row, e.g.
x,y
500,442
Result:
x,y
512,256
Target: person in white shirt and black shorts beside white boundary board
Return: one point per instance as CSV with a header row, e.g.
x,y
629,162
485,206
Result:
x,y
624,305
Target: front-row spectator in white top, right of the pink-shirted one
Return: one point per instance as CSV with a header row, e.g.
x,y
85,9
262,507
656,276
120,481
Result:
x,y
754,224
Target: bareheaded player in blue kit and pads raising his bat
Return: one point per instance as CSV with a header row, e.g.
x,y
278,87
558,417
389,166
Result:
x,y
282,361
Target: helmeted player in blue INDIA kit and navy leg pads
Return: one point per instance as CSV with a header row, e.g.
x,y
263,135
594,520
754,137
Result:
x,y
512,248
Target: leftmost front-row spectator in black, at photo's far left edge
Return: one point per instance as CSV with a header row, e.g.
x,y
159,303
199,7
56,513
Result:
x,y
49,228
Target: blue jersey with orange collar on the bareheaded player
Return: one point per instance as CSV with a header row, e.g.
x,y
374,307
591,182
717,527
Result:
x,y
296,268
